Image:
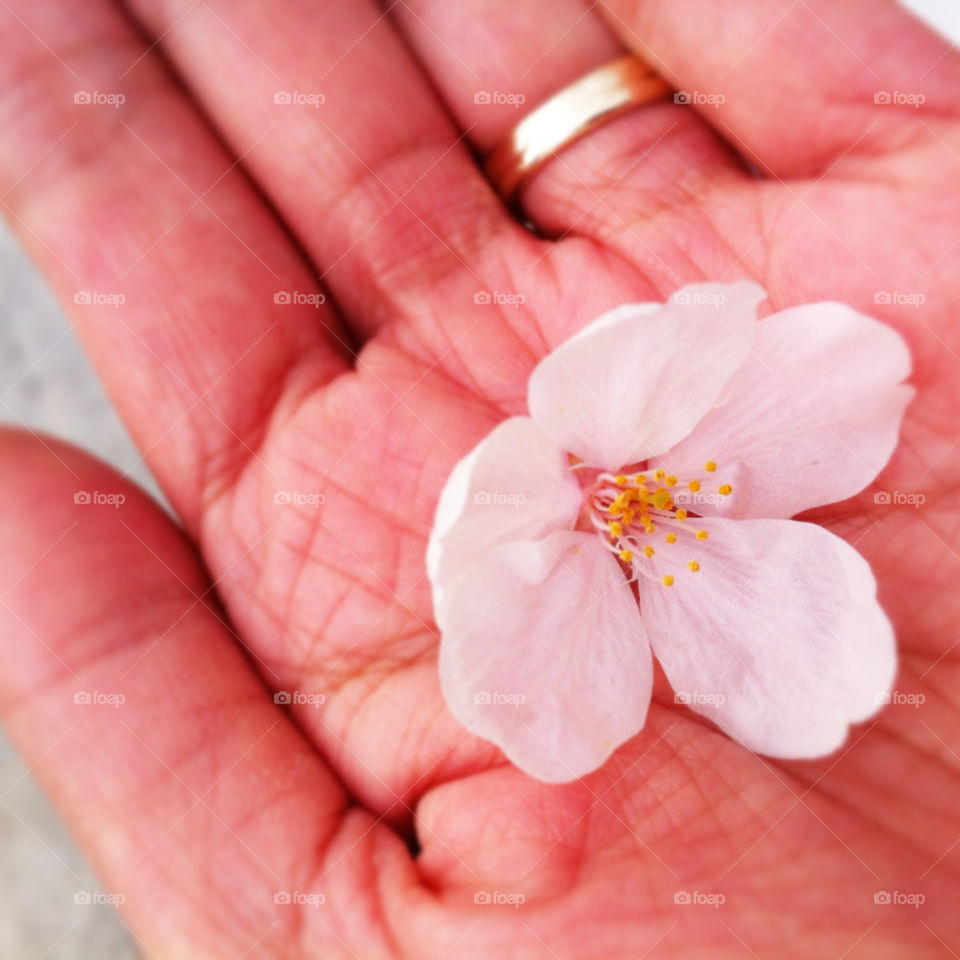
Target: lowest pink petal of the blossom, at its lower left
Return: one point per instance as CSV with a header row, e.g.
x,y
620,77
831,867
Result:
x,y
544,653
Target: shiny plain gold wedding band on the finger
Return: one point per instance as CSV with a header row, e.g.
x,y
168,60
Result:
x,y
601,95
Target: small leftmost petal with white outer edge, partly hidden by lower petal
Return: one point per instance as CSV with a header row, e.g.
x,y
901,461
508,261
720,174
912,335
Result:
x,y
515,484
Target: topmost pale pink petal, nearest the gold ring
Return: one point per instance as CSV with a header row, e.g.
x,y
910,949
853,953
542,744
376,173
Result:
x,y
638,379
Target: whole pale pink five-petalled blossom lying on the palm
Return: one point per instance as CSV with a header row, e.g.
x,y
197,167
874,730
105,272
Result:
x,y
643,505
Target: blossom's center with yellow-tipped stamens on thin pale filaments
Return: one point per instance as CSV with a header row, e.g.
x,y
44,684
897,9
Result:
x,y
644,520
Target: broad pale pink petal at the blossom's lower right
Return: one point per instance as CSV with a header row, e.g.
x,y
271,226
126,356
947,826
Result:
x,y
778,638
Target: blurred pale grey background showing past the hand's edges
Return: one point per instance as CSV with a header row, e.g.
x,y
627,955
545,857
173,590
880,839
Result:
x,y
46,384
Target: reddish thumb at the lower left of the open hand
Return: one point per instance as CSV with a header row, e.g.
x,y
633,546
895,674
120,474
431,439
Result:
x,y
198,801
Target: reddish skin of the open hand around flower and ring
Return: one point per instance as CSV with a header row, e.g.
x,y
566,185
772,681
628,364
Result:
x,y
199,798
